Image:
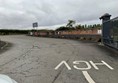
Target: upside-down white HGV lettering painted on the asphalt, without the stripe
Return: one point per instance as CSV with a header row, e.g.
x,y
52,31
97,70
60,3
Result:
x,y
89,65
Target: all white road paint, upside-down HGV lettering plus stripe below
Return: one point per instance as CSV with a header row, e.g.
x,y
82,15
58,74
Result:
x,y
84,70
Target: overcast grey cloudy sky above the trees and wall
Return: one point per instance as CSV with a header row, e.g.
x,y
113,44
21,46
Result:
x,y
20,14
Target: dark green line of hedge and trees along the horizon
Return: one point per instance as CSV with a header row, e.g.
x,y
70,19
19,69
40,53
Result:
x,y
69,26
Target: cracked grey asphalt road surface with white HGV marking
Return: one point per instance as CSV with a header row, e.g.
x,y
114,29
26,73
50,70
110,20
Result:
x,y
46,60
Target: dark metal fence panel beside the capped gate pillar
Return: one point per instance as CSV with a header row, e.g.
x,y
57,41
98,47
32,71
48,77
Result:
x,y
110,34
